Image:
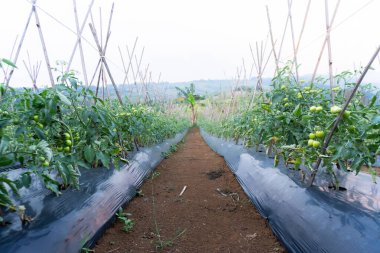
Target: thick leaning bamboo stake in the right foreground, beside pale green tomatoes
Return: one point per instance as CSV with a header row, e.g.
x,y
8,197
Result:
x,y
340,116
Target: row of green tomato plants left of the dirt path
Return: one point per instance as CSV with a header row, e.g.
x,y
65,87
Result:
x,y
54,132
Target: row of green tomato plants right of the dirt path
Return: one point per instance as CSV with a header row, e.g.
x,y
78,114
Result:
x,y
294,120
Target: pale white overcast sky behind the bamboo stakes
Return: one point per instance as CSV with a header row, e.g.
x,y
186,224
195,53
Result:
x,y
190,40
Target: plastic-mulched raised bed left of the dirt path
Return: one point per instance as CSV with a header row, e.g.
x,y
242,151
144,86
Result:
x,y
77,218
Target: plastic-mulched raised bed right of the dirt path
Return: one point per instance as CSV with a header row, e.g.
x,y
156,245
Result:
x,y
307,219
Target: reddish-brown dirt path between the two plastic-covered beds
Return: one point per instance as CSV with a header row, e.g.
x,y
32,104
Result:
x,y
212,215
